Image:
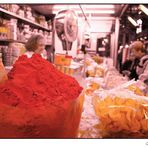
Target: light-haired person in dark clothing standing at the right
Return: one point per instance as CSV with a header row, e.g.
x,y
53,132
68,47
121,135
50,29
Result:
x,y
129,66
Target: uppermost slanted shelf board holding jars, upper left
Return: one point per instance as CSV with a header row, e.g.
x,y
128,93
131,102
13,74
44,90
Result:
x,y
27,21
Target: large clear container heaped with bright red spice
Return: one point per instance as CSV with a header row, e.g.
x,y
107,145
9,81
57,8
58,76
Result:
x,y
38,101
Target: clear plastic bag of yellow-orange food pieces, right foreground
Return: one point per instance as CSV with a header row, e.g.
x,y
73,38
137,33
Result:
x,y
122,114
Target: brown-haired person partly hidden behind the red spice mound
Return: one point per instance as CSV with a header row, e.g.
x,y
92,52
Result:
x,y
36,44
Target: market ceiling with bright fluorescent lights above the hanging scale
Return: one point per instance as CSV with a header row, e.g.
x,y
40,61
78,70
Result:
x,y
90,10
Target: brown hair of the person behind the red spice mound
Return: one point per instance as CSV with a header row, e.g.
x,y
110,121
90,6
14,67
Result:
x,y
31,44
